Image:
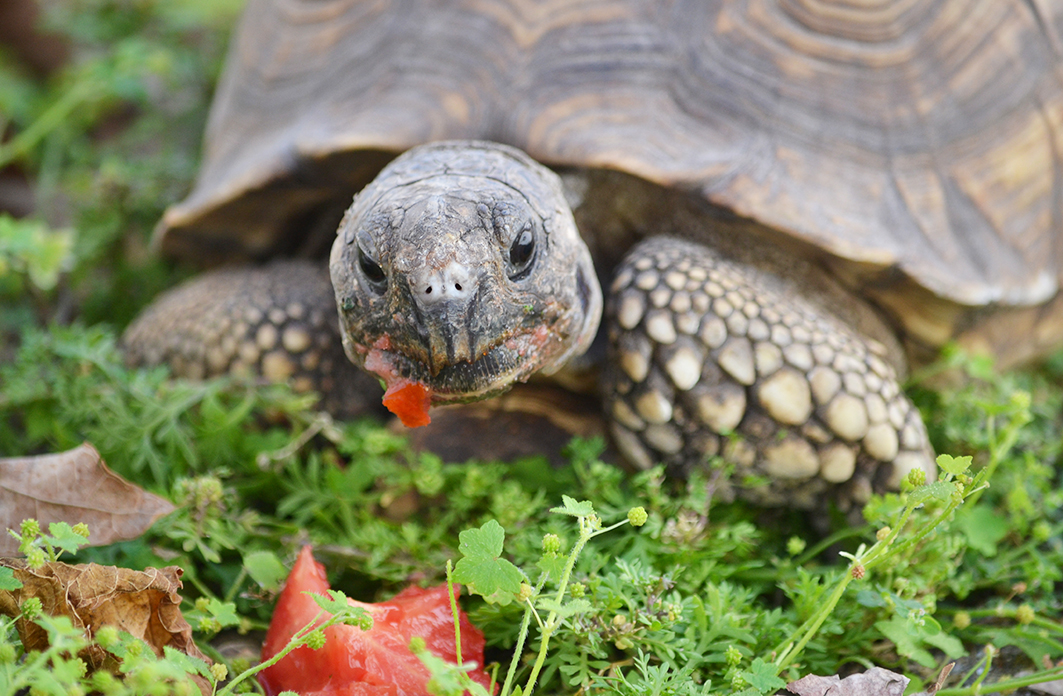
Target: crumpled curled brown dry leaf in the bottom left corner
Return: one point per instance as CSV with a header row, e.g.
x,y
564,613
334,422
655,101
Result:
x,y
146,604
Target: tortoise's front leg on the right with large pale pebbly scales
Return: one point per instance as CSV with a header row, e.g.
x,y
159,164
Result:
x,y
711,358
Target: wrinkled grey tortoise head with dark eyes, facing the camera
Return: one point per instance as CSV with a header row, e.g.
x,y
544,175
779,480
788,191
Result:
x,y
461,268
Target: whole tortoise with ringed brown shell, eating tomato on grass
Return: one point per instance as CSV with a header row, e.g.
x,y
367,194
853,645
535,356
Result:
x,y
787,201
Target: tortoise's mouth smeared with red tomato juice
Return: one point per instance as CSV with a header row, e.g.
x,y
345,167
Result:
x,y
515,359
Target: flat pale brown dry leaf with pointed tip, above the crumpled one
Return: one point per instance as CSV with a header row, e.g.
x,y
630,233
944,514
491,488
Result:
x,y
74,487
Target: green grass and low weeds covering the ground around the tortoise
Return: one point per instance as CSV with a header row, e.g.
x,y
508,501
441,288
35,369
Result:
x,y
698,601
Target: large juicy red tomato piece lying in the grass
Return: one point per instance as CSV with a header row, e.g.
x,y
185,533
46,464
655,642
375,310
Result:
x,y
355,663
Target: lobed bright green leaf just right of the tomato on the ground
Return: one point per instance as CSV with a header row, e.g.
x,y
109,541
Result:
x,y
483,570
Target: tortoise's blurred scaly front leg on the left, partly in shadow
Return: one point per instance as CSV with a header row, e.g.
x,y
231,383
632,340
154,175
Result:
x,y
278,324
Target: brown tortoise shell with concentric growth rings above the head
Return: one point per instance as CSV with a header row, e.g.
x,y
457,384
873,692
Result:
x,y
917,143
